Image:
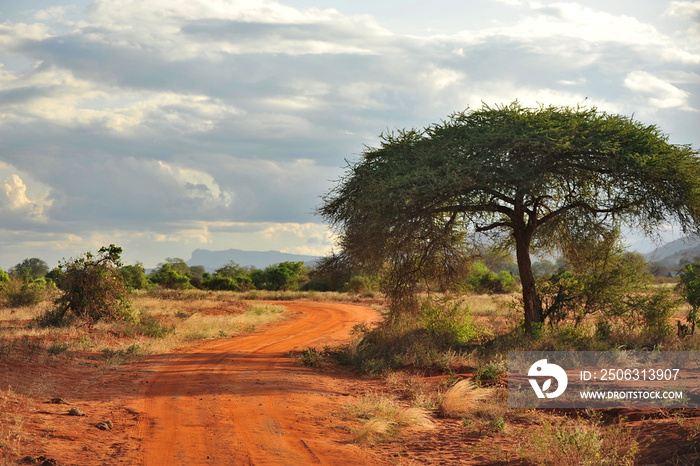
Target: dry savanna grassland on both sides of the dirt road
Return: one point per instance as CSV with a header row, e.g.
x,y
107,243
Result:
x,y
430,390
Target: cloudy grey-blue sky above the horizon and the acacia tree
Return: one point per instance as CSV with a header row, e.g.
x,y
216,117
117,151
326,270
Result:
x,y
168,125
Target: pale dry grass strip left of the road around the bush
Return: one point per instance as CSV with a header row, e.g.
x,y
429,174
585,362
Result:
x,y
164,324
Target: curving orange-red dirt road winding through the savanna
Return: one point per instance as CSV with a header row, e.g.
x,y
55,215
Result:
x,y
245,401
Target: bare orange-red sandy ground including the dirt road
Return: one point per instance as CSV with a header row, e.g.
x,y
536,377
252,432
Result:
x,y
243,400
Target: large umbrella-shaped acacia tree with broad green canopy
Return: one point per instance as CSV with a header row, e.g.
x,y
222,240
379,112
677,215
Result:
x,y
521,174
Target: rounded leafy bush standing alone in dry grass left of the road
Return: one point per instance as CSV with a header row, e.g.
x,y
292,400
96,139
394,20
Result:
x,y
92,287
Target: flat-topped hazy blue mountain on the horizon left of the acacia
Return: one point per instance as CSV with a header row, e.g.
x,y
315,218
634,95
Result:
x,y
212,260
